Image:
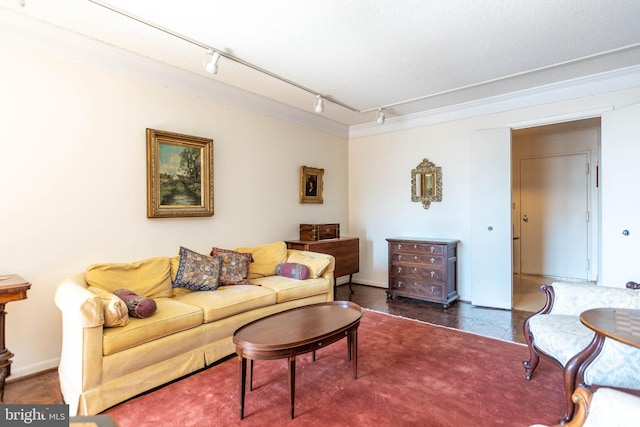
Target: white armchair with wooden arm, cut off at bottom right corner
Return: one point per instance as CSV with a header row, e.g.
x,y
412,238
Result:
x,y
605,407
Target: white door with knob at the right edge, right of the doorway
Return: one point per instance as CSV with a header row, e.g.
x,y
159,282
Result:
x,y
620,186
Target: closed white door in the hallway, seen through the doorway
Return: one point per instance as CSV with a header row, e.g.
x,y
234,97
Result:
x,y
554,219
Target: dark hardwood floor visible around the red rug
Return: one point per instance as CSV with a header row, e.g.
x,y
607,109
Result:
x,y
43,388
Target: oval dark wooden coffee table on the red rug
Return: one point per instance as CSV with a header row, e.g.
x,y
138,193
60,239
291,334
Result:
x,y
296,331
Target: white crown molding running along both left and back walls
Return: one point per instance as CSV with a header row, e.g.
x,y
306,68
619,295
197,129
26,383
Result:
x,y
22,29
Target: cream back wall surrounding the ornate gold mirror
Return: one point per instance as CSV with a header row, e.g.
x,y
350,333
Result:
x,y
379,188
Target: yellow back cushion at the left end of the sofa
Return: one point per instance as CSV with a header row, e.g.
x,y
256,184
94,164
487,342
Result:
x,y
150,278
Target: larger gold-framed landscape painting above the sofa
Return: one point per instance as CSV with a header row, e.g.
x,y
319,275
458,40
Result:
x,y
179,175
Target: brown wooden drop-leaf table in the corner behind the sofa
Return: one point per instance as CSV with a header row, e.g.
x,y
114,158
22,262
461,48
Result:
x,y
346,251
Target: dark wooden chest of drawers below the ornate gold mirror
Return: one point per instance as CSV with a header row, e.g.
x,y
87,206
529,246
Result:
x,y
424,269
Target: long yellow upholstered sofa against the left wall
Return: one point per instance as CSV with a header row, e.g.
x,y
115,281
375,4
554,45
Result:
x,y
102,366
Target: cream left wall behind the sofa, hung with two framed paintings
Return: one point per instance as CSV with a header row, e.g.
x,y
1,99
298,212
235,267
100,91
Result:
x,y
73,179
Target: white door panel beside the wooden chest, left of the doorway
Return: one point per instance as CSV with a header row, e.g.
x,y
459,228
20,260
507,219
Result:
x,y
491,240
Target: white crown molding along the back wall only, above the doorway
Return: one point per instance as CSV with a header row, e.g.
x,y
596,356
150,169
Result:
x,y
596,84
